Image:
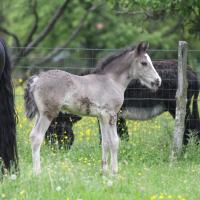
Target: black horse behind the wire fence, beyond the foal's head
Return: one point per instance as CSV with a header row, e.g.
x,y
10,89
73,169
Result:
x,y
142,104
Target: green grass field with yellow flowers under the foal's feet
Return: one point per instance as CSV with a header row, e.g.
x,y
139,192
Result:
x,y
145,172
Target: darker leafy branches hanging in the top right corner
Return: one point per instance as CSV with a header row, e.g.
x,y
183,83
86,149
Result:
x,y
188,11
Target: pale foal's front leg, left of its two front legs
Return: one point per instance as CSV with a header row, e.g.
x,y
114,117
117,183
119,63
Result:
x,y
104,144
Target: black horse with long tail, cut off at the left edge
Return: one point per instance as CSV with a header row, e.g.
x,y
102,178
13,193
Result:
x,y
8,146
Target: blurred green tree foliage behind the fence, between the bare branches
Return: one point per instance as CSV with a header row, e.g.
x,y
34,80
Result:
x,y
114,24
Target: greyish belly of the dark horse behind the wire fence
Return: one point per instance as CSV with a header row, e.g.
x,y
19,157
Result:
x,y
142,113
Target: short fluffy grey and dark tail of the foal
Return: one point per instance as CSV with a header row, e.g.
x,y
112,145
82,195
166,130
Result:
x,y
30,106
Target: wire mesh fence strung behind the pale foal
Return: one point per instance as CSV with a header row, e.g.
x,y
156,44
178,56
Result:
x,y
138,98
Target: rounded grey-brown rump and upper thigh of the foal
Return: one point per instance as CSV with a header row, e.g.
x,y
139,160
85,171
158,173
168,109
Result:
x,y
49,90
